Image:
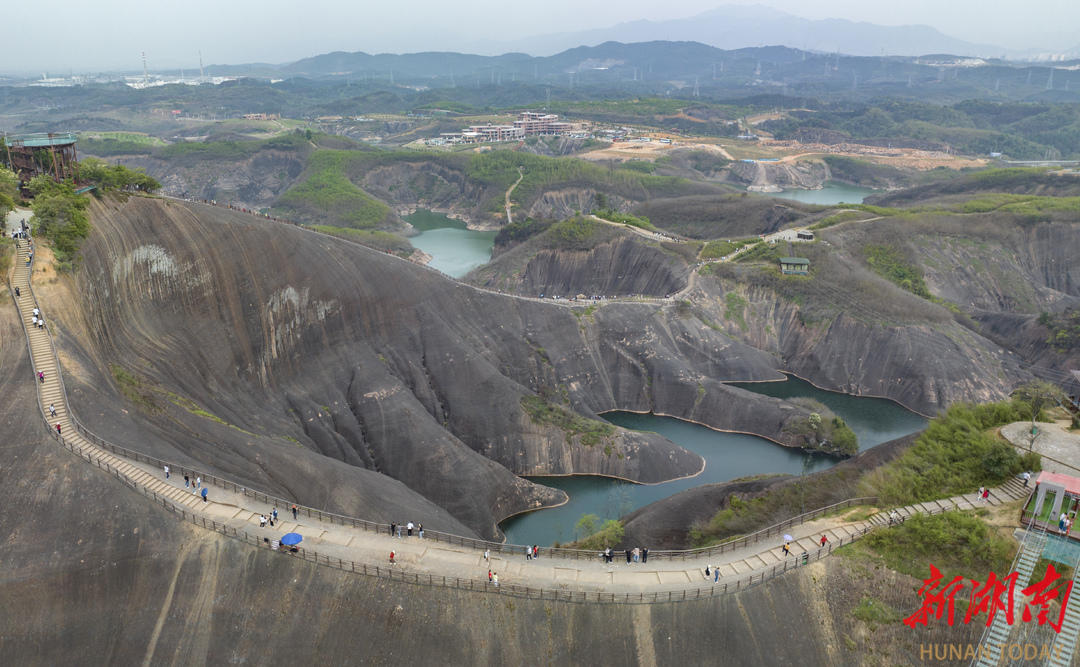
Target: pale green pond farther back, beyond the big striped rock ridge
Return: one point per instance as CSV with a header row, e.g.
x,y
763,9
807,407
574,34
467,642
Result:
x,y
455,249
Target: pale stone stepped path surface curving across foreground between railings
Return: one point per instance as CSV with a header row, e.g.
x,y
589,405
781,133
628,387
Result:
x,y
239,513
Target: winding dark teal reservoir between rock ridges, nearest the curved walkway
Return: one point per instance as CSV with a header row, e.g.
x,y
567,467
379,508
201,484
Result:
x,y
728,456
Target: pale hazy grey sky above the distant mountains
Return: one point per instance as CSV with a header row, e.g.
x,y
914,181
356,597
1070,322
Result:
x,y
112,35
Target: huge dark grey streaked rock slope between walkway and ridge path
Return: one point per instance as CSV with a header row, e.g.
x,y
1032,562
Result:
x,y
293,339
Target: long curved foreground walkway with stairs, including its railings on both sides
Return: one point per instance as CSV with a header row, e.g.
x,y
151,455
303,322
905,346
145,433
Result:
x,y
364,548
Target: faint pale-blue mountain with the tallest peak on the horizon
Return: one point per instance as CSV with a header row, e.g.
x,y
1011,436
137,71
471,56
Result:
x,y
740,28
